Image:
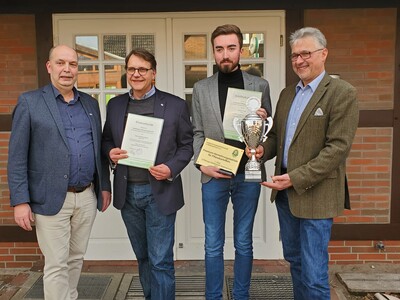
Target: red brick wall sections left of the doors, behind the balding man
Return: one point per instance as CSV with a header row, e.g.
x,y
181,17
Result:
x,y
17,74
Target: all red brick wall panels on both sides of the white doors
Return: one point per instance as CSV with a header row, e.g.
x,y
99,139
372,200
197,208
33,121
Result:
x,y
361,51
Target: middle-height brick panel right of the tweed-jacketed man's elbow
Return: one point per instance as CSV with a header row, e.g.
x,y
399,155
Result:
x,y
369,169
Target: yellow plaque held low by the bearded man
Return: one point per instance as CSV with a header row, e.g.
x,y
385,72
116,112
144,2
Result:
x,y
220,155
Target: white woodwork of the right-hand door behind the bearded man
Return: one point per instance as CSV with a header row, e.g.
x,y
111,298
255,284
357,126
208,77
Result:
x,y
190,242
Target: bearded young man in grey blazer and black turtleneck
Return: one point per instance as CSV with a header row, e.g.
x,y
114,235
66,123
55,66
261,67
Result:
x,y
209,100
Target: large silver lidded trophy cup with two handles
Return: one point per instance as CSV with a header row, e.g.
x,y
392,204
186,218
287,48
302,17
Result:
x,y
253,130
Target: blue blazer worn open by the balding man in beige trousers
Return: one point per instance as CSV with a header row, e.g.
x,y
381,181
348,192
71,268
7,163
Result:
x,y
38,159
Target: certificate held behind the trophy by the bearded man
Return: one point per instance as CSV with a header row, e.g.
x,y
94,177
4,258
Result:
x,y
236,108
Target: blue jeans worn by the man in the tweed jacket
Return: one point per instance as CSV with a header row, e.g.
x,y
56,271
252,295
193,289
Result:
x,y
305,247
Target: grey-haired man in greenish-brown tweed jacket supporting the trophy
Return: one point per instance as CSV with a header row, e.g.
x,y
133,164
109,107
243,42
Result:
x,y
314,126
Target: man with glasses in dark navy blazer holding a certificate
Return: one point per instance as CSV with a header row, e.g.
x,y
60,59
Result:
x,y
149,198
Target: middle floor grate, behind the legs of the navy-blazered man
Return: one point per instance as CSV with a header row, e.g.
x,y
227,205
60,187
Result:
x,y
186,287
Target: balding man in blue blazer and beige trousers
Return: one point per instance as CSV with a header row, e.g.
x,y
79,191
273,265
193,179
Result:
x,y
56,173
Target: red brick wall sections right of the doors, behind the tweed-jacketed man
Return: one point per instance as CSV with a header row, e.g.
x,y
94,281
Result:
x,y
361,44
